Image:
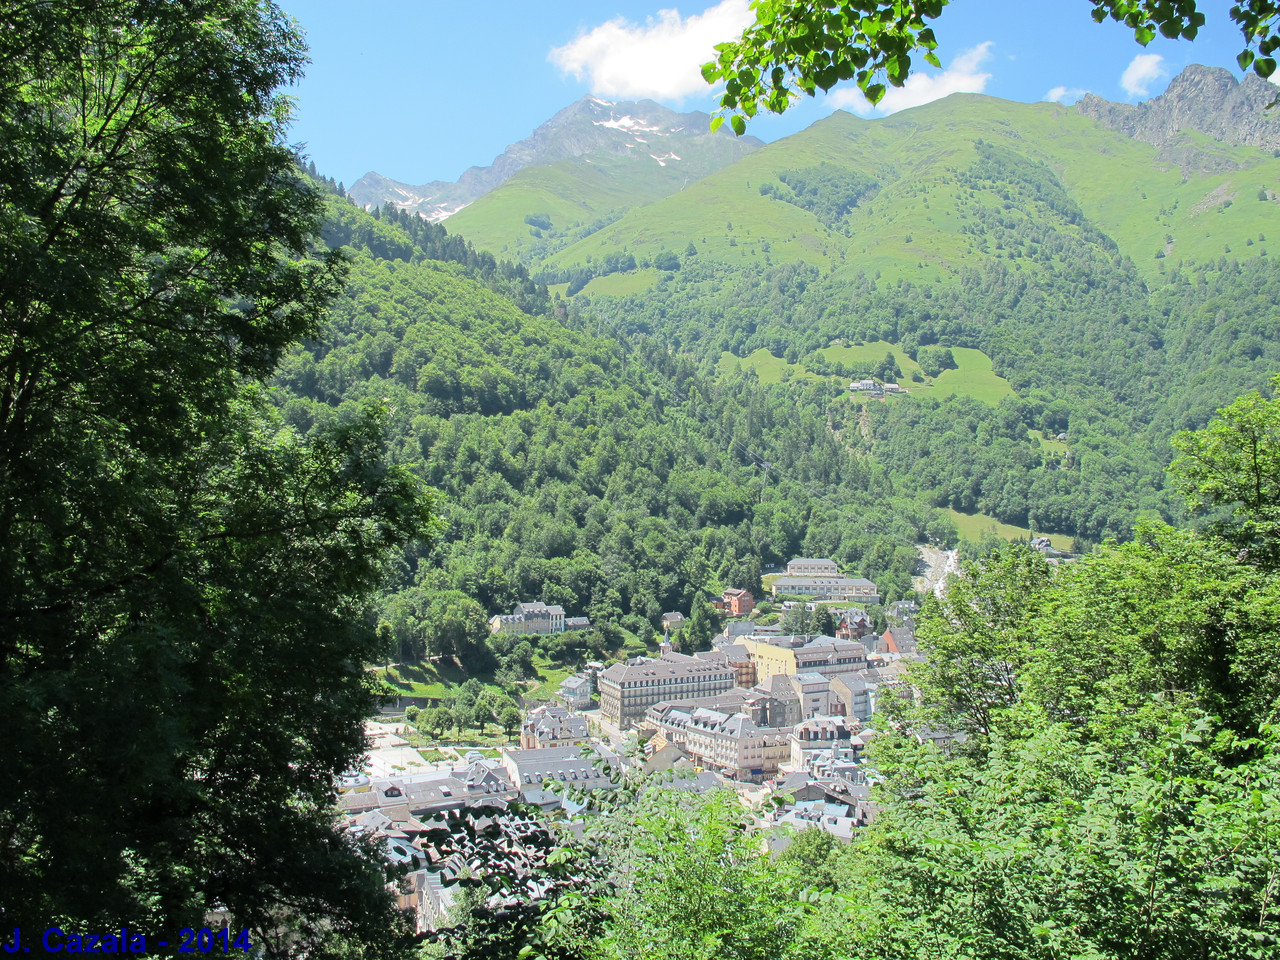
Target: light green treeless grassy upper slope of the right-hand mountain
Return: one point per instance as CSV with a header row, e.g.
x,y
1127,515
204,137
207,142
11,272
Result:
x,y
925,222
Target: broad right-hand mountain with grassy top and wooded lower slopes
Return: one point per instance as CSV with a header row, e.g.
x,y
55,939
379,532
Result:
x,y
1117,309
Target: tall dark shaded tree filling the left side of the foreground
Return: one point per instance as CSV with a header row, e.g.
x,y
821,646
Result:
x,y
185,578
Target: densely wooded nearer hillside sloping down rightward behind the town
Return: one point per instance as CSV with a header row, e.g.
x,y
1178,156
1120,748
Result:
x,y
597,473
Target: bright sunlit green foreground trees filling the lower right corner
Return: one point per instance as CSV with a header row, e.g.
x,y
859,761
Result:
x,y
1086,765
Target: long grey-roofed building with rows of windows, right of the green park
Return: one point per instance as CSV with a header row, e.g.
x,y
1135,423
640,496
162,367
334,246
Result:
x,y
629,689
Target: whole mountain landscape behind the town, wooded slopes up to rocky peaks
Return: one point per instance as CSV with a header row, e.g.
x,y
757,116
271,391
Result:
x,y
689,368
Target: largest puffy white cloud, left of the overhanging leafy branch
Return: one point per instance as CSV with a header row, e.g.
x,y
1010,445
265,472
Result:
x,y
661,58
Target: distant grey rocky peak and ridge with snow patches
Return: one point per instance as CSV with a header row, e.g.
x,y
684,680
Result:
x,y
646,131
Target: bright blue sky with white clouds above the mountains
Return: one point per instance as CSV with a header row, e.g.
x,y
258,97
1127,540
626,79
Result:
x,y
419,90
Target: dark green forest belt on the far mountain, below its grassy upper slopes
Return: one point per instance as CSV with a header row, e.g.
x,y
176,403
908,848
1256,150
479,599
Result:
x,y
1113,362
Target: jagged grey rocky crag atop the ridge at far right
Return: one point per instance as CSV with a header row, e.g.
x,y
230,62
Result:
x,y
1206,100
